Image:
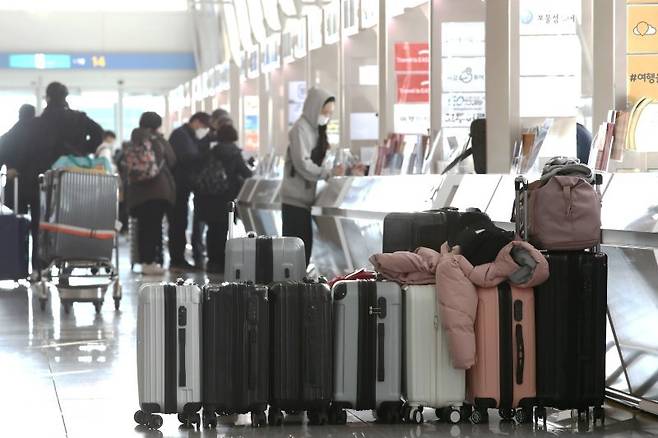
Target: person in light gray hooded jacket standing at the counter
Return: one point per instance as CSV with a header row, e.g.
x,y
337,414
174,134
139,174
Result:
x,y
303,167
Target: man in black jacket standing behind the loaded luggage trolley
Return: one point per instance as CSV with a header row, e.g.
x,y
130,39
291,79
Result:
x,y
33,147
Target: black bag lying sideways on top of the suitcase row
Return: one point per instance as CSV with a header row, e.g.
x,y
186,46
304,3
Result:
x,y
430,229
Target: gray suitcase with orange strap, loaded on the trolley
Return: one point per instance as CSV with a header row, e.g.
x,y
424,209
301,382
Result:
x,y
82,201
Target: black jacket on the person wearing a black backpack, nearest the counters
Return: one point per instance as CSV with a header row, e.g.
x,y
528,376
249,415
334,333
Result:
x,y
212,208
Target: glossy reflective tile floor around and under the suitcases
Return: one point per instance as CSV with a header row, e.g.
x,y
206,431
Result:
x,y
74,376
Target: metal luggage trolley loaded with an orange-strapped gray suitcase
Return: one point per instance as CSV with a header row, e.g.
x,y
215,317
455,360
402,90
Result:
x,y
78,237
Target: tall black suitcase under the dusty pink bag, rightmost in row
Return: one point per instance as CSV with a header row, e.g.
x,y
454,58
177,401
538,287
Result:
x,y
570,316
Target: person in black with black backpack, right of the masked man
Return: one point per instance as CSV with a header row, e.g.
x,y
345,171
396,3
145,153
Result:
x,y
212,209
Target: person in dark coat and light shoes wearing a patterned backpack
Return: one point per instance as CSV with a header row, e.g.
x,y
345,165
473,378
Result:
x,y
149,200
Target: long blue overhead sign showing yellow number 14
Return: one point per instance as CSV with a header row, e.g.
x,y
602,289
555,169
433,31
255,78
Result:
x,y
98,61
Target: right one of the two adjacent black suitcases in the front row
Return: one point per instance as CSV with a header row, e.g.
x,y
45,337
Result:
x,y
301,350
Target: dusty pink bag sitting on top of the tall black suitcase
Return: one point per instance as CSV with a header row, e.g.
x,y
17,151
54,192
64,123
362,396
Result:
x,y
564,214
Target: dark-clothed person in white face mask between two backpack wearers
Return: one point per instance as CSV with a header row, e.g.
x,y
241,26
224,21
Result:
x,y
188,144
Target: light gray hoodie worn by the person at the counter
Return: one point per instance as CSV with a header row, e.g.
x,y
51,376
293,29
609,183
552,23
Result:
x,y
299,190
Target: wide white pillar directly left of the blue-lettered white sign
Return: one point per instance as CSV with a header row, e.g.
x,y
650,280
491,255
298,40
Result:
x,y
502,82
